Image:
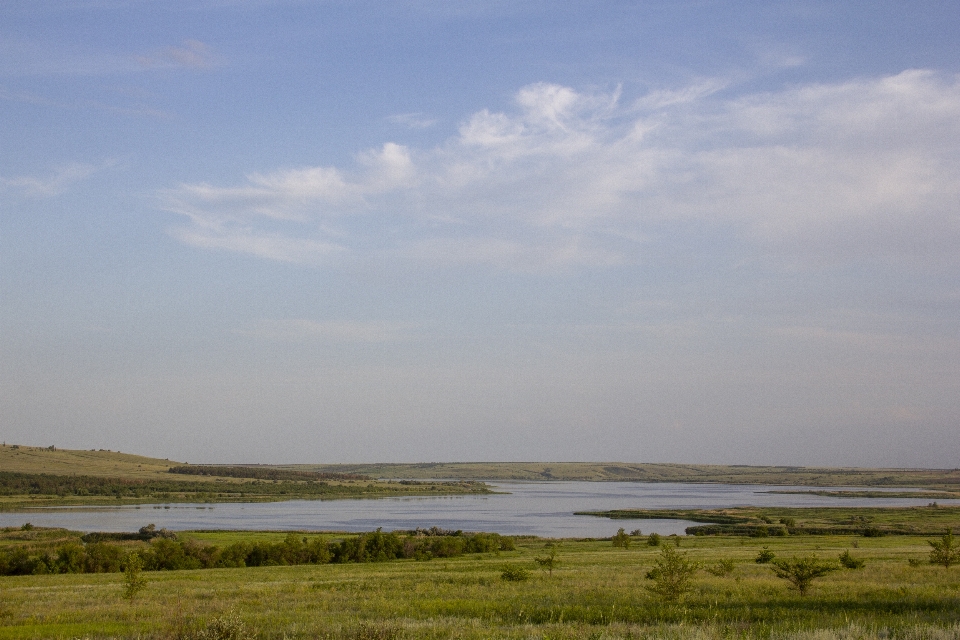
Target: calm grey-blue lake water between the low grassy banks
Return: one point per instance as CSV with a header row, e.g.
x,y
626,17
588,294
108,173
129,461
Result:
x,y
537,508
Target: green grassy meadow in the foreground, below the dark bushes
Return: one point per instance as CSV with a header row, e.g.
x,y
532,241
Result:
x,y
596,591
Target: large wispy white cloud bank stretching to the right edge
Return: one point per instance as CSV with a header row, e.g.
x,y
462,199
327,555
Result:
x,y
568,177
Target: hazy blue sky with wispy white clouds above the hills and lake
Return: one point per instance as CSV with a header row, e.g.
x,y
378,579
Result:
x,y
285,231
